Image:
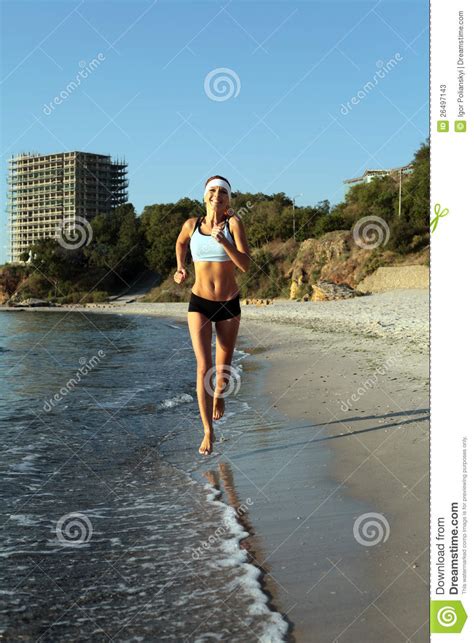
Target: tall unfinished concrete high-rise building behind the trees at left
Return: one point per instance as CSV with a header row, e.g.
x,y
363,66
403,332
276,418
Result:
x,y
49,191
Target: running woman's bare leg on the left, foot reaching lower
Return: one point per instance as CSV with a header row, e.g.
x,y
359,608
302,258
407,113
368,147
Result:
x,y
200,329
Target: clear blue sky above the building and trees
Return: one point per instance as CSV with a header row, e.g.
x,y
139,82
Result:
x,y
288,69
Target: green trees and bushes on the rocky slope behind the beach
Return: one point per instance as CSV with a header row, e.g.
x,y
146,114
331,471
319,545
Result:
x,y
121,245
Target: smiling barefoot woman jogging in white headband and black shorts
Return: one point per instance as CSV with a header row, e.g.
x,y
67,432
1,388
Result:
x,y
218,245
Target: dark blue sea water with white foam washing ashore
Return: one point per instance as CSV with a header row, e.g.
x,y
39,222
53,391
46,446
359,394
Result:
x,y
107,532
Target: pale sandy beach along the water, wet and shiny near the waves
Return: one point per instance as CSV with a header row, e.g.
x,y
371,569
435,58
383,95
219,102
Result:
x,y
340,392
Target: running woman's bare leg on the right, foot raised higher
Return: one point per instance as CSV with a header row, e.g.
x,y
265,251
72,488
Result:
x,y
226,337
